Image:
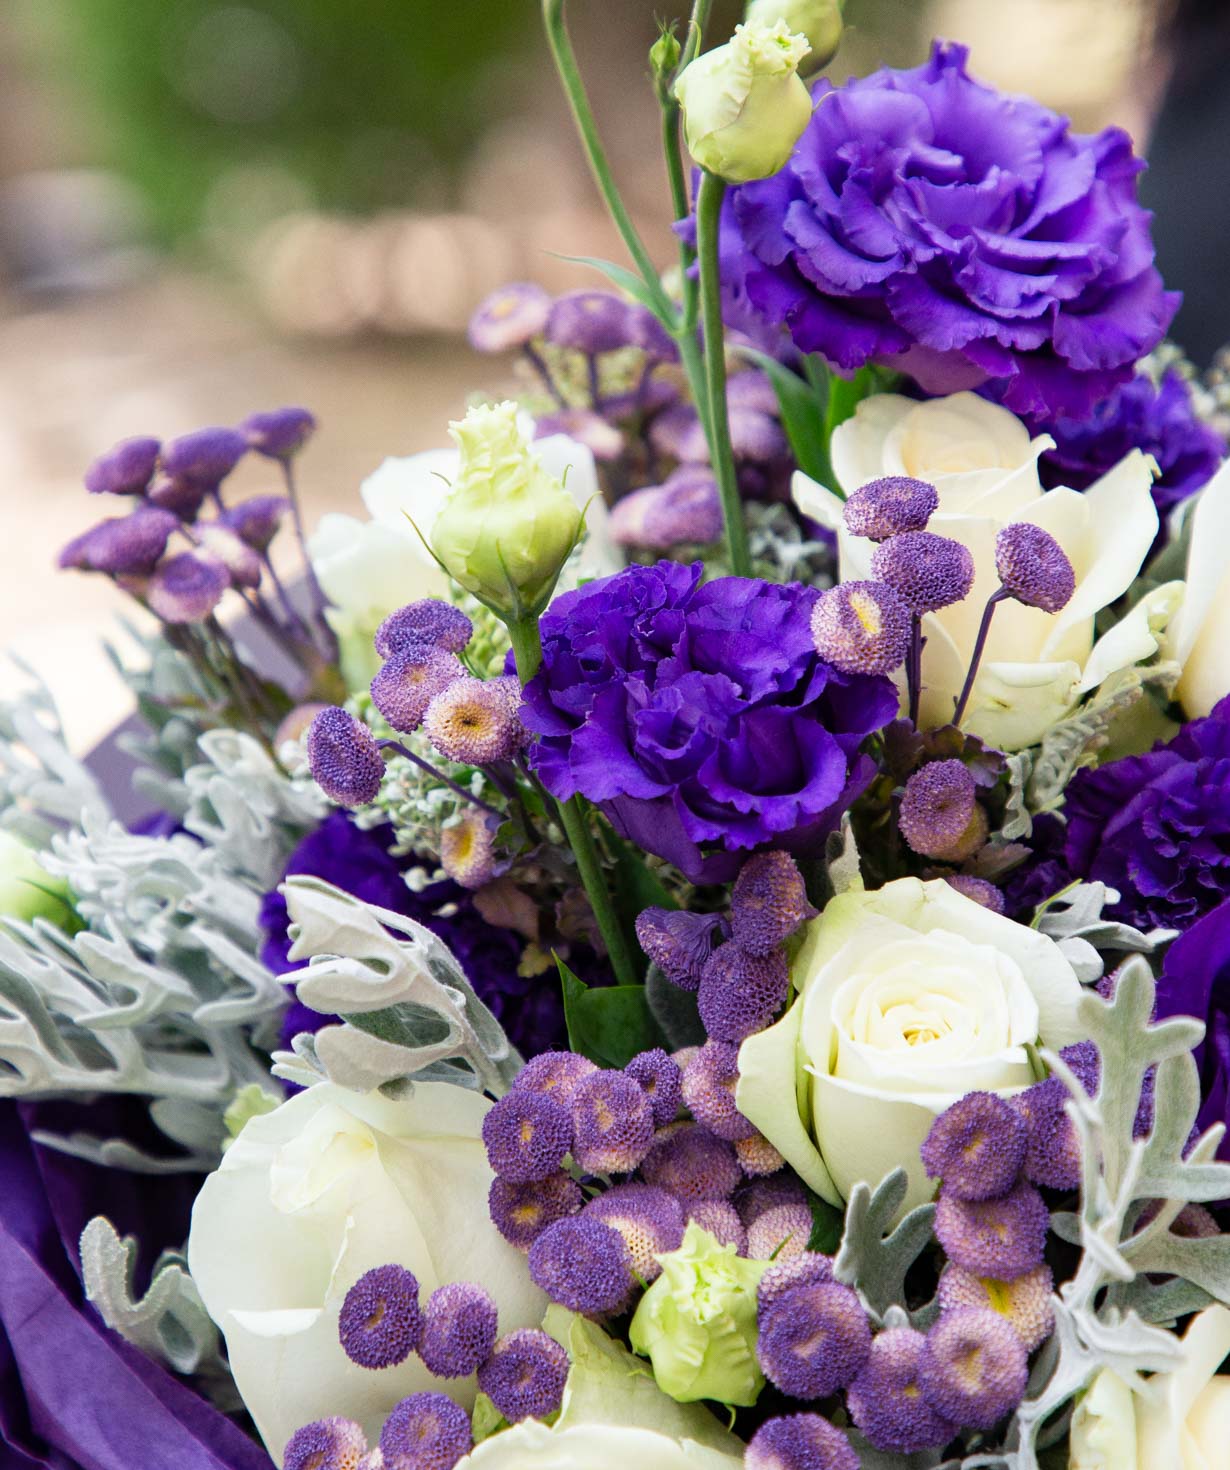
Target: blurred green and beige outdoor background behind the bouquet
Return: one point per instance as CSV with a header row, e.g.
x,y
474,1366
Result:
x,y
215,207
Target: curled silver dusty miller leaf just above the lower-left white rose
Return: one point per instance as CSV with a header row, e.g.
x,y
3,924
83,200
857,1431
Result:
x,y
406,1005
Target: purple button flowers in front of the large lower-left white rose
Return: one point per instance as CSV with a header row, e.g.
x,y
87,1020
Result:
x,y
383,1322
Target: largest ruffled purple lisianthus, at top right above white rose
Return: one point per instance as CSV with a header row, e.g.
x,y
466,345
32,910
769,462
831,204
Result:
x,y
957,234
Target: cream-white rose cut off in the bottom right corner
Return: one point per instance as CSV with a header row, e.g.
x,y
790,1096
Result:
x,y
1182,1424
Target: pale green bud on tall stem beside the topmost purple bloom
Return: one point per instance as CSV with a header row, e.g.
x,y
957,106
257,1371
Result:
x,y
744,104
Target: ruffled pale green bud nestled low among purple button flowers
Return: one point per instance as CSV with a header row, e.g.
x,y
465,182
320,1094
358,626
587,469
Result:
x,y
697,1322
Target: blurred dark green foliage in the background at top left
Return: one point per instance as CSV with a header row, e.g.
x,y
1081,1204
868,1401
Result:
x,y
367,102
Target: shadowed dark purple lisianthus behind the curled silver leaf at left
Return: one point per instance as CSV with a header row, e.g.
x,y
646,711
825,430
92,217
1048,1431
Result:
x,y
359,864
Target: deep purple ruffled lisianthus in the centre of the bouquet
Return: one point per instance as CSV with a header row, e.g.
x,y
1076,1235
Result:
x,y
700,718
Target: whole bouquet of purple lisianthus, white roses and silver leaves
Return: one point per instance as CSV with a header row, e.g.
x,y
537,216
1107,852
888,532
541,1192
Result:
x,y
699,931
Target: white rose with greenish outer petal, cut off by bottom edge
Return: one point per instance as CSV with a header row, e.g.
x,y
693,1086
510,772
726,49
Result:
x,y
614,1415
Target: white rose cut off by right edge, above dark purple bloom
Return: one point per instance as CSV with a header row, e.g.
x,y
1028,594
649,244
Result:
x,y
1203,627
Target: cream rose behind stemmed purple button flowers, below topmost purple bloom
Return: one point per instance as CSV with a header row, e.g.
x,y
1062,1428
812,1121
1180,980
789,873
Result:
x,y
985,467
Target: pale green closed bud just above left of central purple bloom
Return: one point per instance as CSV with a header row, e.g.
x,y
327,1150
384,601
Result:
x,y
508,527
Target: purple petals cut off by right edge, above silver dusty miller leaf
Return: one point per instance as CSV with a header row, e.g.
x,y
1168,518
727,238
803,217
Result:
x,y
1195,981
